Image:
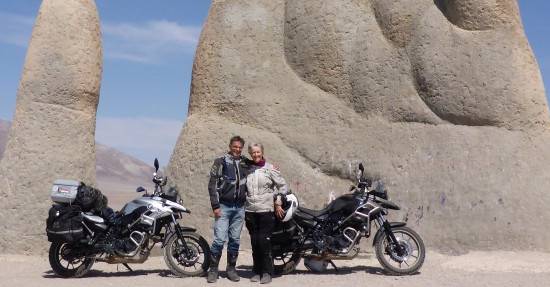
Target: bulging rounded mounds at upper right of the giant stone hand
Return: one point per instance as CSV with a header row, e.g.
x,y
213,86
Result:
x,y
462,62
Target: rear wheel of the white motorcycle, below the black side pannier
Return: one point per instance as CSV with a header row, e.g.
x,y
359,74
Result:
x,y
65,264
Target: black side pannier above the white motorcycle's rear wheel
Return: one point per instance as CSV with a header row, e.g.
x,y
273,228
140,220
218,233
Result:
x,y
64,224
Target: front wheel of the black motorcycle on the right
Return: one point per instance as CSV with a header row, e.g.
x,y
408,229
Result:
x,y
410,261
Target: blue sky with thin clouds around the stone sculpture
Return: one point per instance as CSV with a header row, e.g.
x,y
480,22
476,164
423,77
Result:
x,y
148,49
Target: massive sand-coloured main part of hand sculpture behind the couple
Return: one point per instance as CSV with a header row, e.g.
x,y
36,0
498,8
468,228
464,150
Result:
x,y
442,100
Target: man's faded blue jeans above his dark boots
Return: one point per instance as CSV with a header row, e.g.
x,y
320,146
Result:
x,y
228,227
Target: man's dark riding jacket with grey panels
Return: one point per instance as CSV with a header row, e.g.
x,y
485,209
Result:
x,y
227,184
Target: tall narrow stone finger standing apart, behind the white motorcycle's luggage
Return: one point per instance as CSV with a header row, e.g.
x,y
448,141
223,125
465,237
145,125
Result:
x,y
52,135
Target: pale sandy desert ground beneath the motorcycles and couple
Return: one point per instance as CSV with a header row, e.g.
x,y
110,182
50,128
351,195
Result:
x,y
499,268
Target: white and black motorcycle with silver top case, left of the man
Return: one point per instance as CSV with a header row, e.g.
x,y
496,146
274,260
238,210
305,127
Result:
x,y
83,238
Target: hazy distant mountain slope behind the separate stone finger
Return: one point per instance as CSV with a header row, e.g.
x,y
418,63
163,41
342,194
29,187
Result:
x,y
118,174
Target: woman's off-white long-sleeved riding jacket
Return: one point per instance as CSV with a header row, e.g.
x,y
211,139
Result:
x,y
262,184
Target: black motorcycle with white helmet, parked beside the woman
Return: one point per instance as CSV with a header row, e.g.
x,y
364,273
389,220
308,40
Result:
x,y
334,233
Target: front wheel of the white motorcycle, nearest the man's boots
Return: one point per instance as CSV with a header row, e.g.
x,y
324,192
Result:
x,y
187,262
